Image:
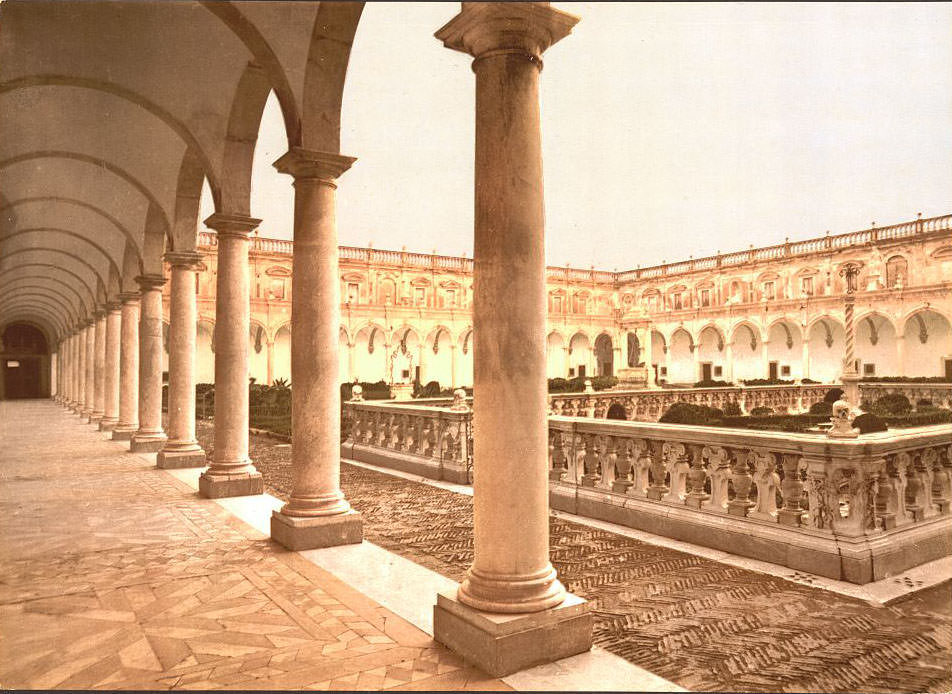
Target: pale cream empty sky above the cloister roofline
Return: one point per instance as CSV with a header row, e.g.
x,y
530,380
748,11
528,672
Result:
x,y
669,130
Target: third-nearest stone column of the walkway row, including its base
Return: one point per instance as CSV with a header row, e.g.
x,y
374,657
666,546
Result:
x,y
231,472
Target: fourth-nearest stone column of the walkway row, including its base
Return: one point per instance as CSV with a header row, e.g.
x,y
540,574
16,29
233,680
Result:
x,y
182,449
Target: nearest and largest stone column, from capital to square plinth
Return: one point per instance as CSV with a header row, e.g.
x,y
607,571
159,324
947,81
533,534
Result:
x,y
511,572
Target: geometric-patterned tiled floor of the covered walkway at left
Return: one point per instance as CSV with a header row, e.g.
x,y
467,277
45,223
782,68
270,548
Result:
x,y
114,575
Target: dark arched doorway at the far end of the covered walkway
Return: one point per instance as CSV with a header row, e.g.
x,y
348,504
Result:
x,y
25,357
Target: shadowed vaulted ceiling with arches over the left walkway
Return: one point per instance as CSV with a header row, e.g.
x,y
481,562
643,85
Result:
x,y
112,114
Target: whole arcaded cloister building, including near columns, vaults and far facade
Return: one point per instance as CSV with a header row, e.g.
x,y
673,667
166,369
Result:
x,y
116,114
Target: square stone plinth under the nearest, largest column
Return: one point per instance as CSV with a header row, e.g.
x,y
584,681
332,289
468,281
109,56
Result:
x,y
502,644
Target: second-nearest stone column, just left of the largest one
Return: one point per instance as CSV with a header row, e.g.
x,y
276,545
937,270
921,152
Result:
x,y
317,514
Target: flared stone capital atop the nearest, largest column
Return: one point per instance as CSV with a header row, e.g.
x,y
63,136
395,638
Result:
x,y
482,29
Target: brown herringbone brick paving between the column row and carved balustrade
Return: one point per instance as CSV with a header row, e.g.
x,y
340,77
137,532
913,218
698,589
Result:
x,y
704,625
